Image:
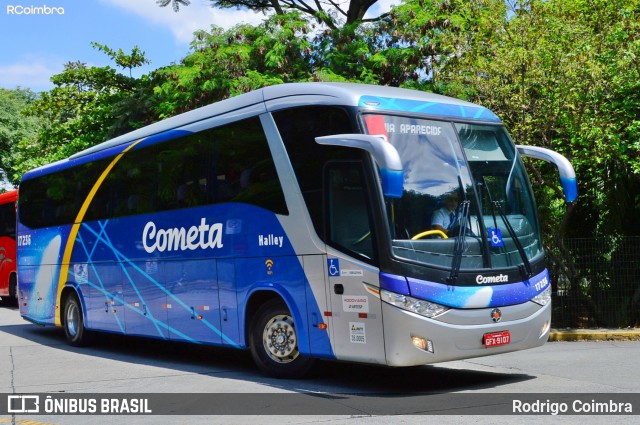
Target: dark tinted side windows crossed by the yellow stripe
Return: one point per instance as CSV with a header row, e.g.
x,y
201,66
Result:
x,y
231,163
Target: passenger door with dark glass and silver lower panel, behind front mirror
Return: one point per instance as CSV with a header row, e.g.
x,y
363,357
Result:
x,y
351,275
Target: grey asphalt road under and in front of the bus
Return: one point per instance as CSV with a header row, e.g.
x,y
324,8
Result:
x,y
37,360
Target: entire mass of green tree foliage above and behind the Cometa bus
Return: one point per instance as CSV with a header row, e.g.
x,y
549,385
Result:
x,y
561,74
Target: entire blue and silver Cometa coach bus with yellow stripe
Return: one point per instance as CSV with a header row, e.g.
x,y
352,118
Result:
x,y
297,222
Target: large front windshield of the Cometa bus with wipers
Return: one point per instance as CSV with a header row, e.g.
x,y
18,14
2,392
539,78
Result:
x,y
467,202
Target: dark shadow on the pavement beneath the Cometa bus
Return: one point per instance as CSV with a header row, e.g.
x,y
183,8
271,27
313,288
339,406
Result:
x,y
327,377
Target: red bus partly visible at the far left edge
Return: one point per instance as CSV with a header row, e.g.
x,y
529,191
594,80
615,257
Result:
x,y
8,278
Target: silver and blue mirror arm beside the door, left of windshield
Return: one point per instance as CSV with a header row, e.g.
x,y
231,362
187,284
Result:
x,y
383,152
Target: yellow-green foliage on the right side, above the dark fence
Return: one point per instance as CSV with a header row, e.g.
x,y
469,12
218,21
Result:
x,y
565,75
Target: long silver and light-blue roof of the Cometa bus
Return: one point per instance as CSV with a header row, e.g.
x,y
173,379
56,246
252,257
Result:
x,y
272,98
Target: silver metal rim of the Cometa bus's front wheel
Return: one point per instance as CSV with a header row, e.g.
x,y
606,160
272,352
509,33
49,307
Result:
x,y
279,339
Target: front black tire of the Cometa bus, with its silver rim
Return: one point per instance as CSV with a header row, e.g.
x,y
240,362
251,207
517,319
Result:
x,y
274,342
